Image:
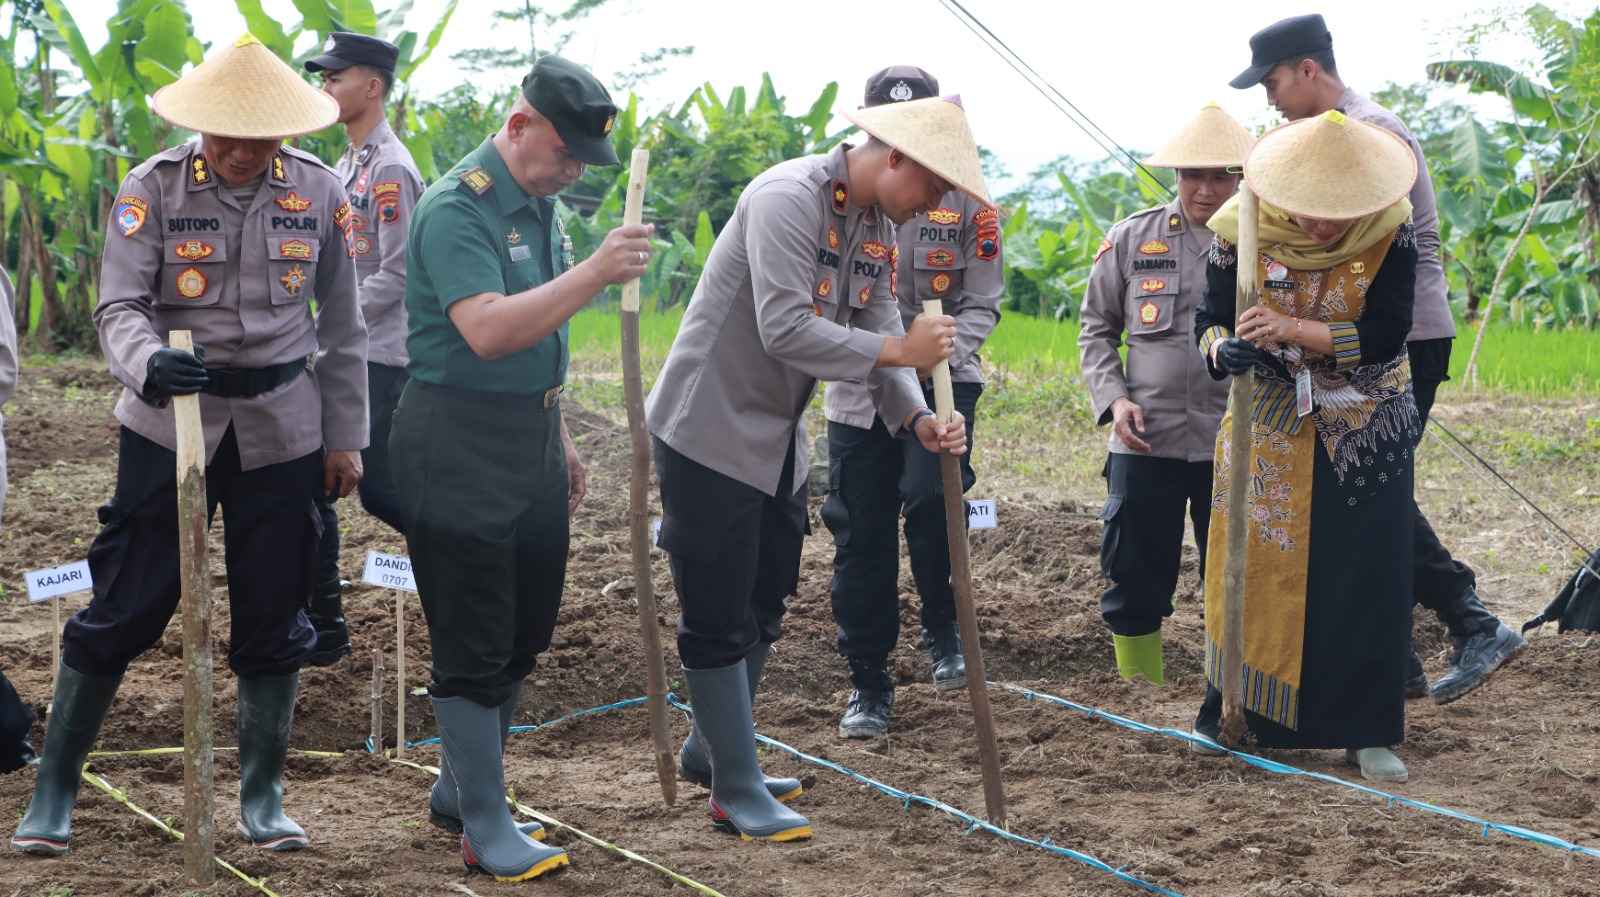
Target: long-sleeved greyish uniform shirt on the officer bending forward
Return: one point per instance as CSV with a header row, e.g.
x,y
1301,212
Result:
x,y
796,292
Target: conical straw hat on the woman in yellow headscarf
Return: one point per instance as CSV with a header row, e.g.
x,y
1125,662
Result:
x,y
1330,167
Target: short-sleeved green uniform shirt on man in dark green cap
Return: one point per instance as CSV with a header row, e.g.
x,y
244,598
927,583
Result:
x,y
476,231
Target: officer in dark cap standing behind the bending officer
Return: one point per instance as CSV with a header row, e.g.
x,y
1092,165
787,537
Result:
x,y
948,253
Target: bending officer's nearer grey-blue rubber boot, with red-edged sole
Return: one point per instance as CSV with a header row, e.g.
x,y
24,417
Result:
x,y
738,795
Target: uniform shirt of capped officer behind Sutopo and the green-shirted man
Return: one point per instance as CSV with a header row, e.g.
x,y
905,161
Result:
x,y
383,185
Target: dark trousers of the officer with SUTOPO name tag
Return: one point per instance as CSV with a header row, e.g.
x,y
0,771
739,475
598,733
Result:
x,y
271,532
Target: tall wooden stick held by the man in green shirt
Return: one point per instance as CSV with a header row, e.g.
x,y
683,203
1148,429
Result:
x,y
639,503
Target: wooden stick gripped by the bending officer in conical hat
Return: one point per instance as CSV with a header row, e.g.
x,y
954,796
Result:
x,y
962,580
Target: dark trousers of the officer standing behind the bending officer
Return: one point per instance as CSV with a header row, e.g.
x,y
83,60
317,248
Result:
x,y
871,479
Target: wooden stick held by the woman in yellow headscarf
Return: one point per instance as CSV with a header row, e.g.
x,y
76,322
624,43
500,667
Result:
x,y
1239,399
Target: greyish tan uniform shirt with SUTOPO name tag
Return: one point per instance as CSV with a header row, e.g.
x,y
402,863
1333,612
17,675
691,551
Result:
x,y
183,255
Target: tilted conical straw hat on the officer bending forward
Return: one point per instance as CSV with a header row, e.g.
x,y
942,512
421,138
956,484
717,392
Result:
x,y
935,135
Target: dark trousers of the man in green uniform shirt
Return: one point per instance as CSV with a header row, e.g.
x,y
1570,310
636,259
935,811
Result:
x,y
486,519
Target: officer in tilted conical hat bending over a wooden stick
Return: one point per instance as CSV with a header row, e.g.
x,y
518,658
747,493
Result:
x,y
796,290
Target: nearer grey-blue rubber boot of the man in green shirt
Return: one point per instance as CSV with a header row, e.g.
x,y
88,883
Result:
x,y
490,840
